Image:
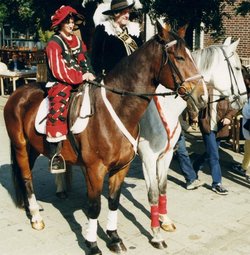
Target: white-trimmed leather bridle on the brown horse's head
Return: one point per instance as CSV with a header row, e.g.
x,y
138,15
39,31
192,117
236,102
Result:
x,y
180,89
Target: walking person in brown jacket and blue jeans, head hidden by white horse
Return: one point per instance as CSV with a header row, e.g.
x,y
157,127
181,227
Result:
x,y
214,122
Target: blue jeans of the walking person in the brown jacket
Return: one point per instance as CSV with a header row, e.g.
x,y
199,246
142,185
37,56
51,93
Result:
x,y
212,157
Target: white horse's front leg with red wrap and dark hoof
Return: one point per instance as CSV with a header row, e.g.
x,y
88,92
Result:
x,y
151,178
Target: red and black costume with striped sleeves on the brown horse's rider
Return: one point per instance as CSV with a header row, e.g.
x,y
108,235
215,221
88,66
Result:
x,y
67,63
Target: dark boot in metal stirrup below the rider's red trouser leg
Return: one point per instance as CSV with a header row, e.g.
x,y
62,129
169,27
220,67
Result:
x,y
57,163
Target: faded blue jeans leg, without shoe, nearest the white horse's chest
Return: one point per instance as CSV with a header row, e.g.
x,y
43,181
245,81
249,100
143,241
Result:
x,y
184,160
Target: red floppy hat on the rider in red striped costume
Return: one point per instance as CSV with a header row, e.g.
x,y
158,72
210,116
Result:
x,y
62,13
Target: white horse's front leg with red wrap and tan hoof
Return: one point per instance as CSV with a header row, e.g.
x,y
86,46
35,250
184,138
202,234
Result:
x,y
162,168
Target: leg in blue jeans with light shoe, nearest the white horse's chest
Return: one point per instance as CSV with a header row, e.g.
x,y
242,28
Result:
x,y
192,181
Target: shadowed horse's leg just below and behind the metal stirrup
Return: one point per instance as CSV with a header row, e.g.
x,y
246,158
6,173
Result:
x,y
63,181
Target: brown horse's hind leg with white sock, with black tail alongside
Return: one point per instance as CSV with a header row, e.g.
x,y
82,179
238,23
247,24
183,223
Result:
x,y
23,160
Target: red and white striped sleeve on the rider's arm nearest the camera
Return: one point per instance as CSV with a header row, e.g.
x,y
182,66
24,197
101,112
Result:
x,y
58,66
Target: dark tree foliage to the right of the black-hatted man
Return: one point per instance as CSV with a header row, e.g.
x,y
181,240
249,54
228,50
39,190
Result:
x,y
180,12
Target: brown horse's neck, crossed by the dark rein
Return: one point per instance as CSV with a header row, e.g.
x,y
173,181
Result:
x,y
128,77
